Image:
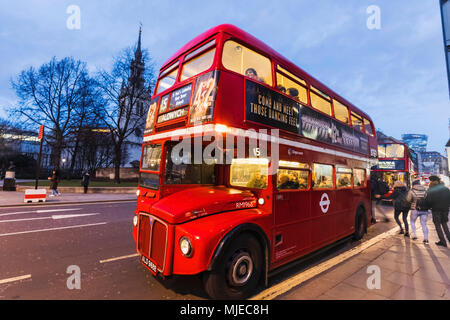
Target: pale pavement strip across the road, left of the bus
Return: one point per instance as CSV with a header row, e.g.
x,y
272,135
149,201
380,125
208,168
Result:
x,y
16,198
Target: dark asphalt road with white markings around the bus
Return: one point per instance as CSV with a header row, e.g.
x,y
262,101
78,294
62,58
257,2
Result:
x,y
40,247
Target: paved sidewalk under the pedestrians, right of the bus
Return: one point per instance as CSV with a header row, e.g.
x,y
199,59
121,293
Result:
x,y
409,270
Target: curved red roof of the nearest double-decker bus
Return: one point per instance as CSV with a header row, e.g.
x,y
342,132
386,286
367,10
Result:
x,y
257,44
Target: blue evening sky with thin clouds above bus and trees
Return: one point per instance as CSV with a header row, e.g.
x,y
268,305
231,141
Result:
x,y
396,74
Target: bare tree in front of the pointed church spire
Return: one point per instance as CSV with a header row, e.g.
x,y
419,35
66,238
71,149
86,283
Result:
x,y
126,91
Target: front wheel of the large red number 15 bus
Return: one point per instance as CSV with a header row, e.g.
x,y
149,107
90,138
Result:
x,y
238,271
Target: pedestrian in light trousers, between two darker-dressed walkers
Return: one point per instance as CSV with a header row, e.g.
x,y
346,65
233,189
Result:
x,y
416,197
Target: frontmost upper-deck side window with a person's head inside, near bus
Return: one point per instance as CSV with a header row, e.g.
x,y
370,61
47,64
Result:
x,y
247,62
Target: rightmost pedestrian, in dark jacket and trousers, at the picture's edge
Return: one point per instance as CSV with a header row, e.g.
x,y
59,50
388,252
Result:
x,y
438,200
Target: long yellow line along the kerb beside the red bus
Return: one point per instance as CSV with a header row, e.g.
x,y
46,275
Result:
x,y
285,286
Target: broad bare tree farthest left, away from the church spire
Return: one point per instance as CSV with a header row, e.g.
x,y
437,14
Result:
x,y
49,96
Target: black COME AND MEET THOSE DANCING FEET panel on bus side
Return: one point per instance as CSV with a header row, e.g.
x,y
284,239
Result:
x,y
270,108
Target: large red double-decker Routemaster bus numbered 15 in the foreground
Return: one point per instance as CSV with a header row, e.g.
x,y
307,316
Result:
x,y
288,174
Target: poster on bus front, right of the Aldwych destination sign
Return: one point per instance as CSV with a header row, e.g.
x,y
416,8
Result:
x,y
202,107
